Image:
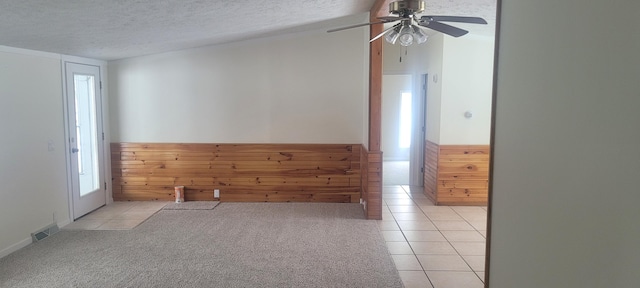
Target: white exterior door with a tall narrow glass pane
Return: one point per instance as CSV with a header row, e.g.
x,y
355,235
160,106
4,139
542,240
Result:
x,y
84,114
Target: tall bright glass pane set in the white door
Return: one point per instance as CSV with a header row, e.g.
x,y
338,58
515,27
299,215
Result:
x,y
87,133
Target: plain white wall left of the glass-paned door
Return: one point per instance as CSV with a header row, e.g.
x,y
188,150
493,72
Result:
x,y
32,178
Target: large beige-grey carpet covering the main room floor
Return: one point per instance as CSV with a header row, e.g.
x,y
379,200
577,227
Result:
x,y
233,245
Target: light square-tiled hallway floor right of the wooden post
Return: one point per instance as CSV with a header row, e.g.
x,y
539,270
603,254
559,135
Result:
x,y
433,246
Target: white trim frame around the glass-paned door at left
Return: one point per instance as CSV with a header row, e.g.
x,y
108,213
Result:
x,y
106,165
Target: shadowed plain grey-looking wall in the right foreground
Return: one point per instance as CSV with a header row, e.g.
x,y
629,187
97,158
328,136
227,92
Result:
x,y
566,164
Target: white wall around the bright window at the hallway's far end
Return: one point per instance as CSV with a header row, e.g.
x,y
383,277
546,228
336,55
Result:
x,y
392,88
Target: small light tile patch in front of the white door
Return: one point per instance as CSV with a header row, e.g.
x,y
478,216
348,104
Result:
x,y
117,216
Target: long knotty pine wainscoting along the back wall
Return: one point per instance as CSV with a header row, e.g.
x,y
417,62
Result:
x,y
242,172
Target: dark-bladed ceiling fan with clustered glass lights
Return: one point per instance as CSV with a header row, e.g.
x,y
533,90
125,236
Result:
x,y
406,32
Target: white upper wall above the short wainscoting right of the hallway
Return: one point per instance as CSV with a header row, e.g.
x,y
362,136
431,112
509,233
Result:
x,y
467,80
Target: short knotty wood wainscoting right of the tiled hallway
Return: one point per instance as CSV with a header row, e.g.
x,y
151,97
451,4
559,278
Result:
x,y
457,174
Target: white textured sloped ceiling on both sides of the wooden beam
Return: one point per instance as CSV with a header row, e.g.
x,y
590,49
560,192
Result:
x,y
115,29
